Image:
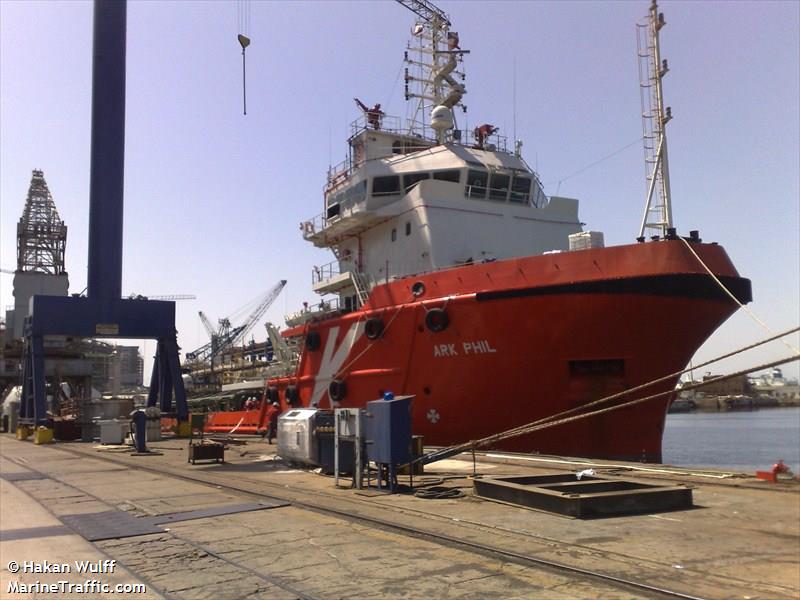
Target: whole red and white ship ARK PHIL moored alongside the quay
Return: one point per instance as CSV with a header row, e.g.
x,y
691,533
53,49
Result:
x,y
458,280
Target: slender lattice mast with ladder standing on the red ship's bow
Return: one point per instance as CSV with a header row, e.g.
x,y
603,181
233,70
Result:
x,y
657,216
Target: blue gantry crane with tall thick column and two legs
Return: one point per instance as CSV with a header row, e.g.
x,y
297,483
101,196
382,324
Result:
x,y
103,312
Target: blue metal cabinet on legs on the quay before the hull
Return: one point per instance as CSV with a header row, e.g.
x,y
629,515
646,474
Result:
x,y
388,439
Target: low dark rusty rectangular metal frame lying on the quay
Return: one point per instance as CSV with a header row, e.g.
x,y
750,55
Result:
x,y
587,498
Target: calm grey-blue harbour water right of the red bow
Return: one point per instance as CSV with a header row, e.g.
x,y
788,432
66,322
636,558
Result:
x,y
736,440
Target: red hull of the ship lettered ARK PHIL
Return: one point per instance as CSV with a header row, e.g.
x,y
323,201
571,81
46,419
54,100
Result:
x,y
526,339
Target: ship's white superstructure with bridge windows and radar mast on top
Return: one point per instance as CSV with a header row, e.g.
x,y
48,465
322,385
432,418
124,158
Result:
x,y
424,195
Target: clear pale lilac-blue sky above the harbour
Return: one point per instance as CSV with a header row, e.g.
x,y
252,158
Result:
x,y
213,198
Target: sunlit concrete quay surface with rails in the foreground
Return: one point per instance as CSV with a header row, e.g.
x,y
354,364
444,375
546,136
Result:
x,y
312,540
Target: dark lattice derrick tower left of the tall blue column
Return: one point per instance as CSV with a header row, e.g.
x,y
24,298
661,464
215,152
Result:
x,y
41,234
